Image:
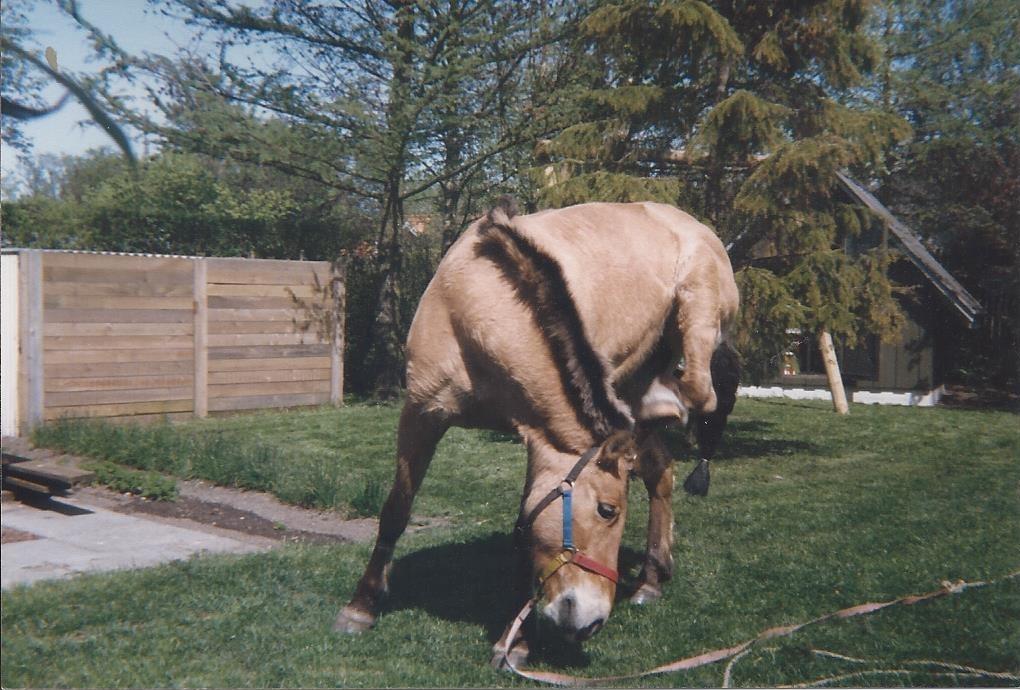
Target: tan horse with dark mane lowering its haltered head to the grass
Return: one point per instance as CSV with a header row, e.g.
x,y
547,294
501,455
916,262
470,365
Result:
x,y
569,327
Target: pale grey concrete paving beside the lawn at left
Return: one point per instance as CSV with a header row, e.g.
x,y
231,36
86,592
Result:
x,y
82,537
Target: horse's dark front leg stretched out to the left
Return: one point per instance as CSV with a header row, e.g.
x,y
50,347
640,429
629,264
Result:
x,y
418,436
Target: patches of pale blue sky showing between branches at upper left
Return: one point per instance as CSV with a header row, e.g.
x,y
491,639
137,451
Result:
x,y
136,26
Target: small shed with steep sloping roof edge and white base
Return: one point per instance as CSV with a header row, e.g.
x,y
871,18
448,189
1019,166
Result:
x,y
908,373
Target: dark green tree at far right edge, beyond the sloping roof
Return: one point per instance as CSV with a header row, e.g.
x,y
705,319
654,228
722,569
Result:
x,y
952,72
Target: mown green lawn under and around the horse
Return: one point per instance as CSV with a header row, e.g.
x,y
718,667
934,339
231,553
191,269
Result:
x,y
808,513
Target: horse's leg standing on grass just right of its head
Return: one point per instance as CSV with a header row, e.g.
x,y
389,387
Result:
x,y
656,470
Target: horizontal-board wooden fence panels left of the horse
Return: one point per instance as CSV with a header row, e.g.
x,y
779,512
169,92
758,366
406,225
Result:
x,y
143,336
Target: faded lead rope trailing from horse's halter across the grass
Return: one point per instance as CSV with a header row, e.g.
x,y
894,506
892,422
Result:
x,y
717,656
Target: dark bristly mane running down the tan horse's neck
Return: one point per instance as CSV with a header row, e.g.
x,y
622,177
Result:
x,y
540,282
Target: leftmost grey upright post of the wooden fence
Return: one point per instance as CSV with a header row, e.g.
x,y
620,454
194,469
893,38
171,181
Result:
x,y
30,293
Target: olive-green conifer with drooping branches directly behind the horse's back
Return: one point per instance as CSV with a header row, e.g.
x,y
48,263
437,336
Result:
x,y
743,114
